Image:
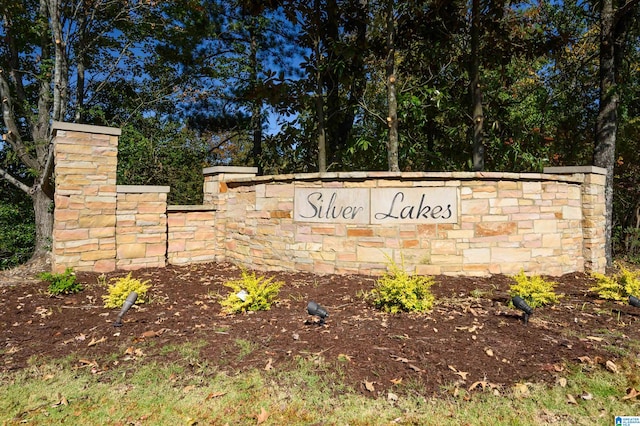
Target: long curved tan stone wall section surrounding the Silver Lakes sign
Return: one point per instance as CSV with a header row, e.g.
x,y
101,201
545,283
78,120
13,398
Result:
x,y
507,222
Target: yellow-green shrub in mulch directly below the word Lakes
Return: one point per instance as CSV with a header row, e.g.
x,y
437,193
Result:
x,y
397,290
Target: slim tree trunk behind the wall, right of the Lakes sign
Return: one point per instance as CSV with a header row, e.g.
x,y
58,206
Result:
x,y
475,89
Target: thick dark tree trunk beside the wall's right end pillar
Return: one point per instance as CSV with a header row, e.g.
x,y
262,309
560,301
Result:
x,y
607,121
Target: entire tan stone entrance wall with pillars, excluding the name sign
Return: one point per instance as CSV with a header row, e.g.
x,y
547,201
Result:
x,y
543,223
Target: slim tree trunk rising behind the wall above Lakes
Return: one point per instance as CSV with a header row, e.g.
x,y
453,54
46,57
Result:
x,y
392,117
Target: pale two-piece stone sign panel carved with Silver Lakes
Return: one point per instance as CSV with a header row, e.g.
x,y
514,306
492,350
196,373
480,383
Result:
x,y
376,205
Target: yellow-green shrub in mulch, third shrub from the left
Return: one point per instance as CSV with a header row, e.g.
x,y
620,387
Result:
x,y
261,292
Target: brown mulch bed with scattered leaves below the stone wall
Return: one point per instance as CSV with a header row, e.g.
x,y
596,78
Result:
x,y
471,339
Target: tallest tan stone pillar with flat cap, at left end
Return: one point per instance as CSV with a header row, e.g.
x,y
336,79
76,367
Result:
x,y
85,197
